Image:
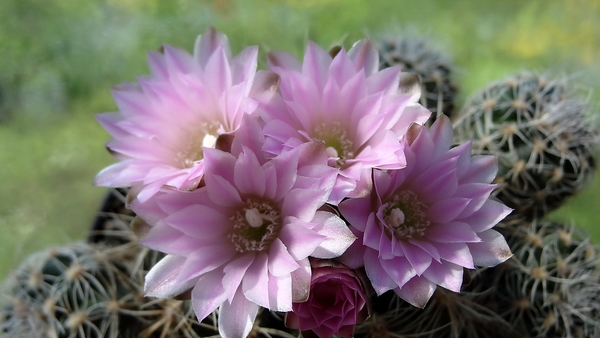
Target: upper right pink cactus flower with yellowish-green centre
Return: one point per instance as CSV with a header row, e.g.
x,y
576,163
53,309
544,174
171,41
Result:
x,y
345,102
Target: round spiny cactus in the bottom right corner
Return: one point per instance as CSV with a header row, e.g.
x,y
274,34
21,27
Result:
x,y
551,286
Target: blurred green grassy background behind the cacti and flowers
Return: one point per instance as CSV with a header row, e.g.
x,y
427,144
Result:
x,y
59,58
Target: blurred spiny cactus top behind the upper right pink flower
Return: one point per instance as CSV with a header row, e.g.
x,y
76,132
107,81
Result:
x,y
414,55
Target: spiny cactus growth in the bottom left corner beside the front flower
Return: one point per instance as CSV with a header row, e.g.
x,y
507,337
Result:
x,y
84,290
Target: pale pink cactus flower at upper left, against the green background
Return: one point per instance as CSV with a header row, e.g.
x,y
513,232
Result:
x,y
166,119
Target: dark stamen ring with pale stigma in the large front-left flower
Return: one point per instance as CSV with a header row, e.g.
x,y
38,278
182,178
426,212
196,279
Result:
x,y
255,226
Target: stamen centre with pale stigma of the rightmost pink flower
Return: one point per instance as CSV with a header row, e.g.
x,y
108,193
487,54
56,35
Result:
x,y
405,216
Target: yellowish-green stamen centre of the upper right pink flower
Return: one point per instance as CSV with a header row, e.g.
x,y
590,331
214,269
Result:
x,y
335,136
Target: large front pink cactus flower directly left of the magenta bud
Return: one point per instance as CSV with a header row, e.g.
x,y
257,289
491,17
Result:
x,y
242,240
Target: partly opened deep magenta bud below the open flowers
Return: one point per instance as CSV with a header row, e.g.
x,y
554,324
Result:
x,y
337,302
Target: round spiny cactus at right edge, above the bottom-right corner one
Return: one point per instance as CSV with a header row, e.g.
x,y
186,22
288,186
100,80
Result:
x,y
544,141
